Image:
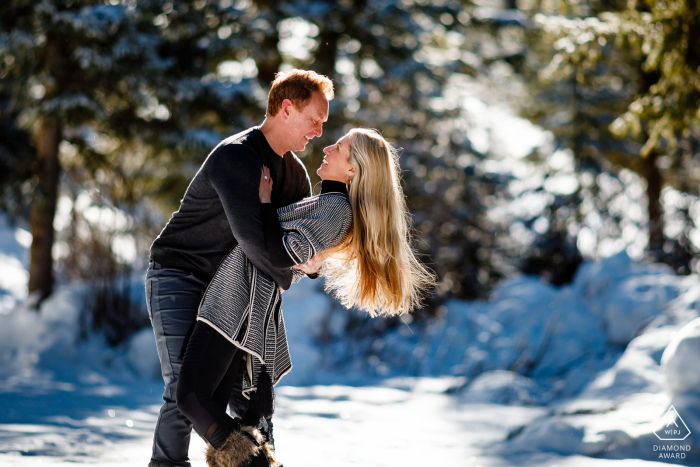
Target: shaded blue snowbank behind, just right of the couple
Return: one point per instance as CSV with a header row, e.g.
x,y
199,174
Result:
x,y
561,338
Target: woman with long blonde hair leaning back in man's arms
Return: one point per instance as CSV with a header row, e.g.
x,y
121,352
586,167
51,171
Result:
x,y
360,225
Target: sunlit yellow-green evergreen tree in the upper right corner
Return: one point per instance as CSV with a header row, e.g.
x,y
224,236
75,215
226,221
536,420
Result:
x,y
632,73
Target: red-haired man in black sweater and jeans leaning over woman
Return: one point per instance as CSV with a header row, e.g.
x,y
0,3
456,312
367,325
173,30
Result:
x,y
220,210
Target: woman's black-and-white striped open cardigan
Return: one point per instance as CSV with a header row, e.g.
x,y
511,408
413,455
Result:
x,y
245,305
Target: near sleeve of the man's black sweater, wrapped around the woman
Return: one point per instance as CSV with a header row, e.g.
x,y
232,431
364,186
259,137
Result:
x,y
234,173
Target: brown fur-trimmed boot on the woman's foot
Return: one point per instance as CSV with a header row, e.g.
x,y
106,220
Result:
x,y
244,448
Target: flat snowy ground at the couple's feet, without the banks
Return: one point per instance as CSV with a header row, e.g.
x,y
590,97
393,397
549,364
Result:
x,y
401,423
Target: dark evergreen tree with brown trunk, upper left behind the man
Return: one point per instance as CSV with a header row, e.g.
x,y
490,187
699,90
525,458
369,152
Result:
x,y
128,86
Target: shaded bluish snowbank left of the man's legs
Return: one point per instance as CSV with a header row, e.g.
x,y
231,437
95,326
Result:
x,y
52,343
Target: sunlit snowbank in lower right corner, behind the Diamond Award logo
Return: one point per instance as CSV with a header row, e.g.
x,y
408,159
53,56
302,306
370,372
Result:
x,y
625,411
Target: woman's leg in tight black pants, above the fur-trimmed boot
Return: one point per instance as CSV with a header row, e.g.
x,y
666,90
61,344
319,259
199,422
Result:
x,y
206,380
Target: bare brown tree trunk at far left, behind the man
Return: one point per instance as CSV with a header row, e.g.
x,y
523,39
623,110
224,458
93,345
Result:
x,y
44,209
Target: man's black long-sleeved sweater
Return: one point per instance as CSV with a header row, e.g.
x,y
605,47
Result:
x,y
221,208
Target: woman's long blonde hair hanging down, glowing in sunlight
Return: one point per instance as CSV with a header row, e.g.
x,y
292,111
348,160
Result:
x,y
375,268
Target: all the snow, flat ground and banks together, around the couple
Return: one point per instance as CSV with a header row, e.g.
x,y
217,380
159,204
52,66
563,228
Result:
x,y
537,376
